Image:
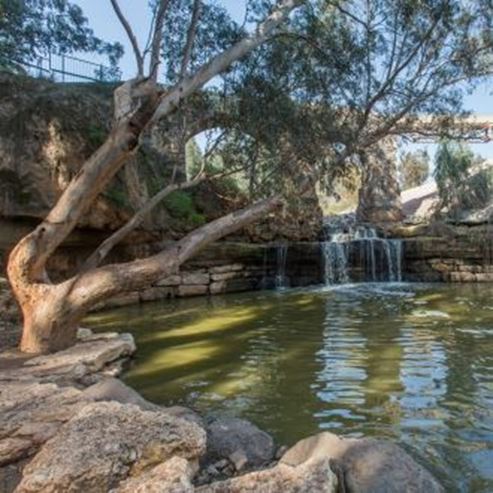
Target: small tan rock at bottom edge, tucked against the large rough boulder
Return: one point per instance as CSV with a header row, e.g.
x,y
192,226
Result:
x,y
173,476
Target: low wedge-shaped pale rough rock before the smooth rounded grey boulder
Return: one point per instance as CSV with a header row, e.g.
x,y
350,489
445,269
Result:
x,y
313,476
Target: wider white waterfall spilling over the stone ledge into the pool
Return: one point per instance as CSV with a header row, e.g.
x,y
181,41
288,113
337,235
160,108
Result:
x,y
379,258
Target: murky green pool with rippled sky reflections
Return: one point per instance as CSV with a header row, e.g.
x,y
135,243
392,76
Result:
x,y
409,362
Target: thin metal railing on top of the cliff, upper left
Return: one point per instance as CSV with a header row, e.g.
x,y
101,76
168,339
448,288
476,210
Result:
x,y
66,68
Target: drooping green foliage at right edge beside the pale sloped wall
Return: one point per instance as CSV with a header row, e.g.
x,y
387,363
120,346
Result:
x,y
461,180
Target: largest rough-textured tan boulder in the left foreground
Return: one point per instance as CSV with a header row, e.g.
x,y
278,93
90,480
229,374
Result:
x,y
104,444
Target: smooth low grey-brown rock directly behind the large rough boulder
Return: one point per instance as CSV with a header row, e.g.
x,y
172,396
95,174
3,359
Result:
x,y
112,389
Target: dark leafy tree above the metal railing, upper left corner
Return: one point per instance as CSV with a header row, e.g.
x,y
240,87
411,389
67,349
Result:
x,y
33,28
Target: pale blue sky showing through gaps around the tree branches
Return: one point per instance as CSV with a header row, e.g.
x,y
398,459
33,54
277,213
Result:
x,y
105,24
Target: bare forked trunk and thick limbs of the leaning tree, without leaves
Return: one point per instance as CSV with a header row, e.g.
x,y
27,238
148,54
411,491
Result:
x,y
51,312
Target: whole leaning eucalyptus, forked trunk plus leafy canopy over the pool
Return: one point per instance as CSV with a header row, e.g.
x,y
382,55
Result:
x,y
342,77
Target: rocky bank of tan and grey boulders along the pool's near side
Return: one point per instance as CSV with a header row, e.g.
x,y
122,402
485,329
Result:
x,y
68,425
